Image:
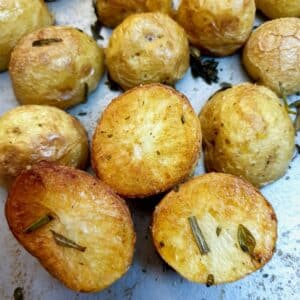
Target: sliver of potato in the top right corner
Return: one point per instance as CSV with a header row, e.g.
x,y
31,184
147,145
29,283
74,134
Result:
x,y
279,8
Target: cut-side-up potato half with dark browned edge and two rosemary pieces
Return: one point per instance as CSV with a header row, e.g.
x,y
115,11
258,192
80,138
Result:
x,y
72,205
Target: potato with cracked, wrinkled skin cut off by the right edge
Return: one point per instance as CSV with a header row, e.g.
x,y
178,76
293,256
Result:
x,y
272,55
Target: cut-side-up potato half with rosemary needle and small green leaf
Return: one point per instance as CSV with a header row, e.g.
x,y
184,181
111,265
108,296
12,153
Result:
x,y
237,223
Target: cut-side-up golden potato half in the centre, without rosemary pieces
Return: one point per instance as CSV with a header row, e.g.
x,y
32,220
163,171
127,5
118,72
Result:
x,y
147,141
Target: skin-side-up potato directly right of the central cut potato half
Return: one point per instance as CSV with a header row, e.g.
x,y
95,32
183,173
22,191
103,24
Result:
x,y
247,132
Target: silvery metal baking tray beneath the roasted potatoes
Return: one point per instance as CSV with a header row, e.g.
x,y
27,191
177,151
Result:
x,y
149,278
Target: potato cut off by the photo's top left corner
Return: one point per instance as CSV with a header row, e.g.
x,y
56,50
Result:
x,y
18,18
